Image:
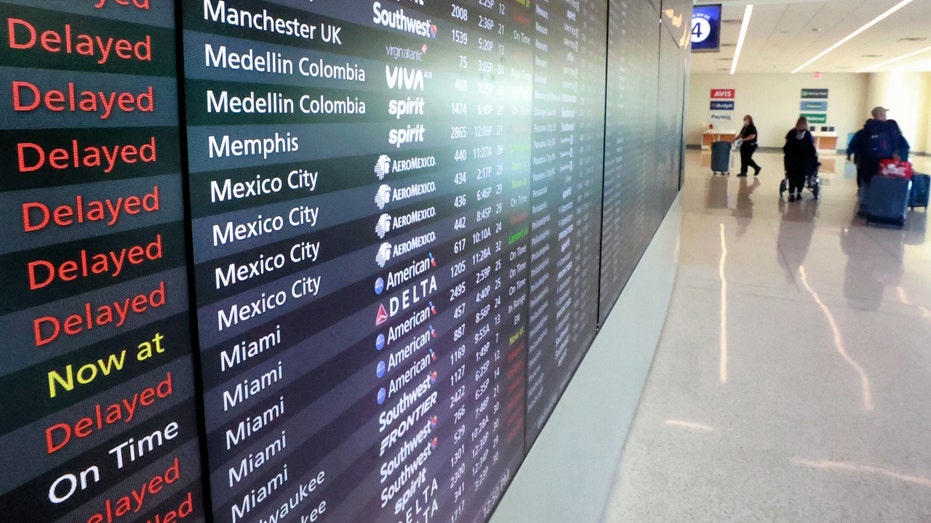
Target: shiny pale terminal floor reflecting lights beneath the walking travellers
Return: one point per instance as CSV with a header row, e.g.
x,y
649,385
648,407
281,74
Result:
x,y
793,378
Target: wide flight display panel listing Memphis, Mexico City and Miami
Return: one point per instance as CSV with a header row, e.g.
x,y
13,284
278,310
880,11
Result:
x,y
360,198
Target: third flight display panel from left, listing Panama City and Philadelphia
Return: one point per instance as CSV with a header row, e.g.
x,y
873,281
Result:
x,y
567,156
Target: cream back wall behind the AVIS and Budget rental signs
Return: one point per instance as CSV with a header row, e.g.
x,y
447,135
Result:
x,y
773,101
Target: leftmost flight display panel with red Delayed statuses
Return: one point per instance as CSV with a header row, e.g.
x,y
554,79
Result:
x,y
99,413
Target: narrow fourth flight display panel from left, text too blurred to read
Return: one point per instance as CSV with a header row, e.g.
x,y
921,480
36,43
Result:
x,y
632,183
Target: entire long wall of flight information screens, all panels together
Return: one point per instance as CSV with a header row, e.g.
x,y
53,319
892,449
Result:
x,y
327,260
